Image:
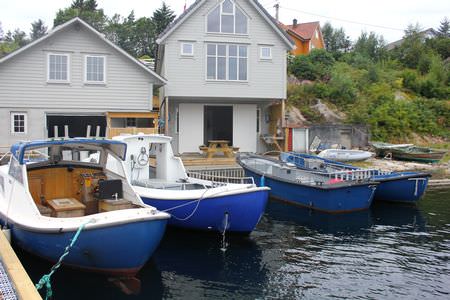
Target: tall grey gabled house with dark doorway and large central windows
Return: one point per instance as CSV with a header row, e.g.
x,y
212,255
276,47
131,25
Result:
x,y
225,62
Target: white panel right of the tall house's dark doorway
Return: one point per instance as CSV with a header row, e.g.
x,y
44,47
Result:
x,y
244,127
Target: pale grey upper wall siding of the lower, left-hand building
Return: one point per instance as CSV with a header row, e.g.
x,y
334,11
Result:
x,y
23,78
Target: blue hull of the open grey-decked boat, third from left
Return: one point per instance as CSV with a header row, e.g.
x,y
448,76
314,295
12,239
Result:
x,y
331,200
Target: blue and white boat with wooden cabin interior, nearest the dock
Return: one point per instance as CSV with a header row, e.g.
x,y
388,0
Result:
x,y
49,190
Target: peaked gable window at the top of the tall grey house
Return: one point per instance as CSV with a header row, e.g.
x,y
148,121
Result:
x,y
227,18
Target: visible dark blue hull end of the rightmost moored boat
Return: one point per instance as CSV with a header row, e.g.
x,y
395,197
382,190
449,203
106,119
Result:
x,y
405,187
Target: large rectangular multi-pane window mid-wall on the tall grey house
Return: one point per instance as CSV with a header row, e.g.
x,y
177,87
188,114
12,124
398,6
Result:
x,y
226,62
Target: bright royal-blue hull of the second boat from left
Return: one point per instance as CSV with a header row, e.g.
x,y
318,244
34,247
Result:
x,y
239,212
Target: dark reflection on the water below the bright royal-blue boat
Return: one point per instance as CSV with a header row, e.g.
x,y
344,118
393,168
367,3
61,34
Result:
x,y
194,266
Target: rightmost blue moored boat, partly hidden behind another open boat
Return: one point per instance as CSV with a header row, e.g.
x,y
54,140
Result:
x,y
405,187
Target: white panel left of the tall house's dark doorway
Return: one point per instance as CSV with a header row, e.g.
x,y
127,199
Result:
x,y
191,127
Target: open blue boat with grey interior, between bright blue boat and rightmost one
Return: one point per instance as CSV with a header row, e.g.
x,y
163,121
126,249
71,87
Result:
x,y
320,192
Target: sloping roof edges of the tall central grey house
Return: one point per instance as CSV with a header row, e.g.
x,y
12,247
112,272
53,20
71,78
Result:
x,y
198,3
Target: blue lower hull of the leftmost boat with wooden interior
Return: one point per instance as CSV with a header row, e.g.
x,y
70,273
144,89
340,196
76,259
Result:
x,y
120,250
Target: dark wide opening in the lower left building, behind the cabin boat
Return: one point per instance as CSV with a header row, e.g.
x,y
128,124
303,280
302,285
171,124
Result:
x,y
77,125
